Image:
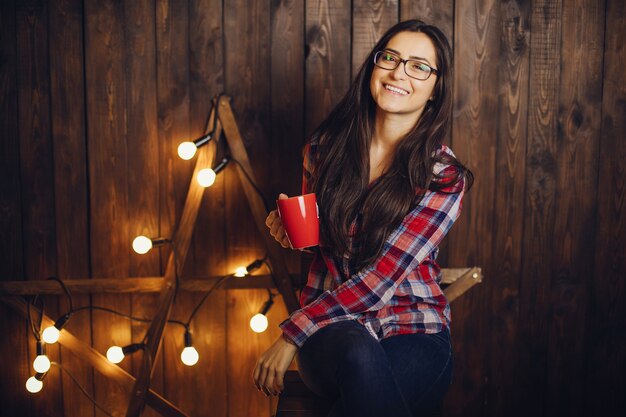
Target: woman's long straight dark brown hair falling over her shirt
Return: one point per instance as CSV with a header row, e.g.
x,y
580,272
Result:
x,y
341,165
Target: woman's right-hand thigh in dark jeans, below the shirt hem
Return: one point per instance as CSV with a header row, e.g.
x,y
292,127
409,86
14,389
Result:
x,y
422,366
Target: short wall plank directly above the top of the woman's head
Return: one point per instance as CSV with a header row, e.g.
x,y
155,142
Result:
x,y
435,12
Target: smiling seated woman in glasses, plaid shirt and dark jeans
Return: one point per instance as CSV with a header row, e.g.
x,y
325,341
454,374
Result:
x,y
373,333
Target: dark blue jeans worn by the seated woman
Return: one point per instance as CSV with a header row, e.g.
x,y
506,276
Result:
x,y
404,375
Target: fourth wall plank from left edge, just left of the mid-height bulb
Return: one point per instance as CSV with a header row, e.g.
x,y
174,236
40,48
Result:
x,y
105,86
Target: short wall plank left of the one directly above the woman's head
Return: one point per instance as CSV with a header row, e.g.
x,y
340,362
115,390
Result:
x,y
370,20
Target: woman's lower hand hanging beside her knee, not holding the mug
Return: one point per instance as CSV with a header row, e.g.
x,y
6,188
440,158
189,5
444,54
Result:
x,y
270,368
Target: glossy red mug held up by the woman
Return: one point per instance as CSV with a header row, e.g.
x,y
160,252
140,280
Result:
x,y
300,217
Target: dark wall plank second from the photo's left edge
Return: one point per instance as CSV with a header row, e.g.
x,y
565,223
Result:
x,y
36,175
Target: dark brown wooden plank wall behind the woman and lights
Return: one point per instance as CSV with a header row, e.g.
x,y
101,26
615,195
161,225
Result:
x,y
96,95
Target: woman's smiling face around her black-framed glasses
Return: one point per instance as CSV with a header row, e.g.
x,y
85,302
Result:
x,y
395,92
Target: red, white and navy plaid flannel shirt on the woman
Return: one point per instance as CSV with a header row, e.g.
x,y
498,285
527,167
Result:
x,y
399,292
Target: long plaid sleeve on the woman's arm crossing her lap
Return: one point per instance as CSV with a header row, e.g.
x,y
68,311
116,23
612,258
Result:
x,y
370,289
